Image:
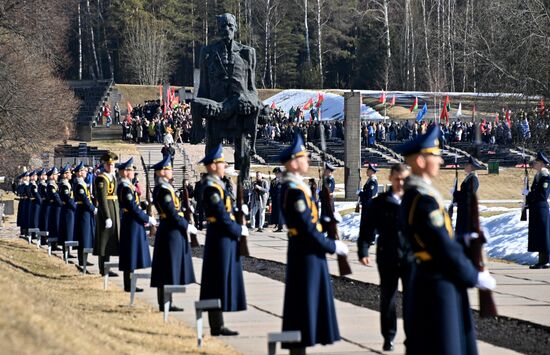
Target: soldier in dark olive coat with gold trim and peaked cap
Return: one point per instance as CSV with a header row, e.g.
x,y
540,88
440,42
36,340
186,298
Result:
x,y
108,215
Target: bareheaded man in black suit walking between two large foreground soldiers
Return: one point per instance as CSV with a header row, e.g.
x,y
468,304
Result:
x,y
392,252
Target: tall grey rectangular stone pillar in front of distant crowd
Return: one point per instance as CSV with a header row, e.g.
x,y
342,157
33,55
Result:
x,y
352,152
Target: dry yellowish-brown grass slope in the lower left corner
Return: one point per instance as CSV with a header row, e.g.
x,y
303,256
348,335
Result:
x,y
47,307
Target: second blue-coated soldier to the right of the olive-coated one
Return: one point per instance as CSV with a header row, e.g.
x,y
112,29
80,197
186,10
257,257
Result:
x,y
172,258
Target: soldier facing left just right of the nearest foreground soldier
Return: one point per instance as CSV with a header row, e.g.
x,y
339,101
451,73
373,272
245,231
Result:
x,y
461,197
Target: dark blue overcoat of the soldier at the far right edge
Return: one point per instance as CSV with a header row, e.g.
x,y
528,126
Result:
x,y
539,218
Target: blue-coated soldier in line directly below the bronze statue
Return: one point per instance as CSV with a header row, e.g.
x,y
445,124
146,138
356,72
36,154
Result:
x,y
222,273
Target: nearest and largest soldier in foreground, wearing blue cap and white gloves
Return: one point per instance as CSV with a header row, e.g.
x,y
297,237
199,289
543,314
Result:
x,y
438,310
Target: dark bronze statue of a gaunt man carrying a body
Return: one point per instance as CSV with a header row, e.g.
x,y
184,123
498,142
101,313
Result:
x,y
227,97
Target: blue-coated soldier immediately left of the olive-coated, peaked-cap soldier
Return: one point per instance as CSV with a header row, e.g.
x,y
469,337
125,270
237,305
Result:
x,y
84,228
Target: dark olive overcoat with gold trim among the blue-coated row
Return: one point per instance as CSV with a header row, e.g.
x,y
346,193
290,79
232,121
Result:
x,y
107,240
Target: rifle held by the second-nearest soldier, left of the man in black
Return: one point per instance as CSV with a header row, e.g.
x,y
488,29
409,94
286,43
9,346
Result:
x,y
331,223
